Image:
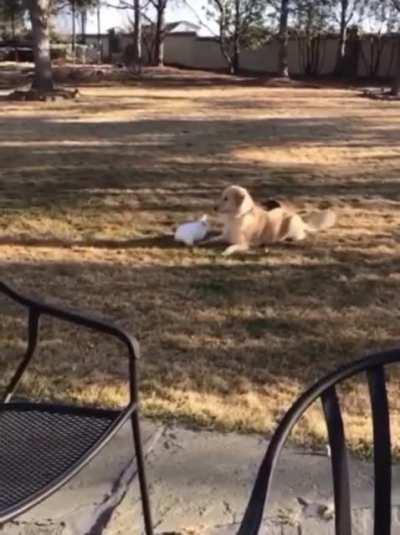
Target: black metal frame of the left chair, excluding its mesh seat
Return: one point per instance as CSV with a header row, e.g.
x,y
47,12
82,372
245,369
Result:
x,y
36,310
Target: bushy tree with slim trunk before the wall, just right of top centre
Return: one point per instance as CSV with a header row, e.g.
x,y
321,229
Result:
x,y
241,25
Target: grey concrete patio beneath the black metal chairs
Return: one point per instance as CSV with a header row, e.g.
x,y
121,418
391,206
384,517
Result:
x,y
199,483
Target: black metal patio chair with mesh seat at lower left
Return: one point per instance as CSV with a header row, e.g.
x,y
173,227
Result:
x,y
43,445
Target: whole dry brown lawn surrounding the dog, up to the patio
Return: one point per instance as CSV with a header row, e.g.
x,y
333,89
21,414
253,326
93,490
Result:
x,y
87,189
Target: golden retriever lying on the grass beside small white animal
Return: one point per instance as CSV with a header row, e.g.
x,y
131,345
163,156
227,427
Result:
x,y
247,224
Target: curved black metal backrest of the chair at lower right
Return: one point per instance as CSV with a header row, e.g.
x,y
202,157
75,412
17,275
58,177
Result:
x,y
325,389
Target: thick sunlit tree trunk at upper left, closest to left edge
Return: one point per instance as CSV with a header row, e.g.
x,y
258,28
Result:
x,y
39,12
